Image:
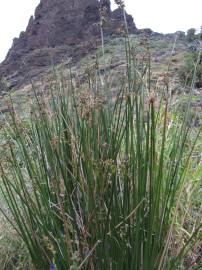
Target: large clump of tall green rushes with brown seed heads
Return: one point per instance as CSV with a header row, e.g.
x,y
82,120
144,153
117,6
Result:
x,y
93,183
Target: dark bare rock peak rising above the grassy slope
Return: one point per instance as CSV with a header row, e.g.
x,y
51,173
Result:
x,y
59,29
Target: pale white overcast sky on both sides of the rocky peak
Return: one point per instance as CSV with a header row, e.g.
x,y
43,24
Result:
x,y
163,16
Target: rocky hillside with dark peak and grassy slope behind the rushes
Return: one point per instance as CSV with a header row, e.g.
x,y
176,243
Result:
x,y
69,31
